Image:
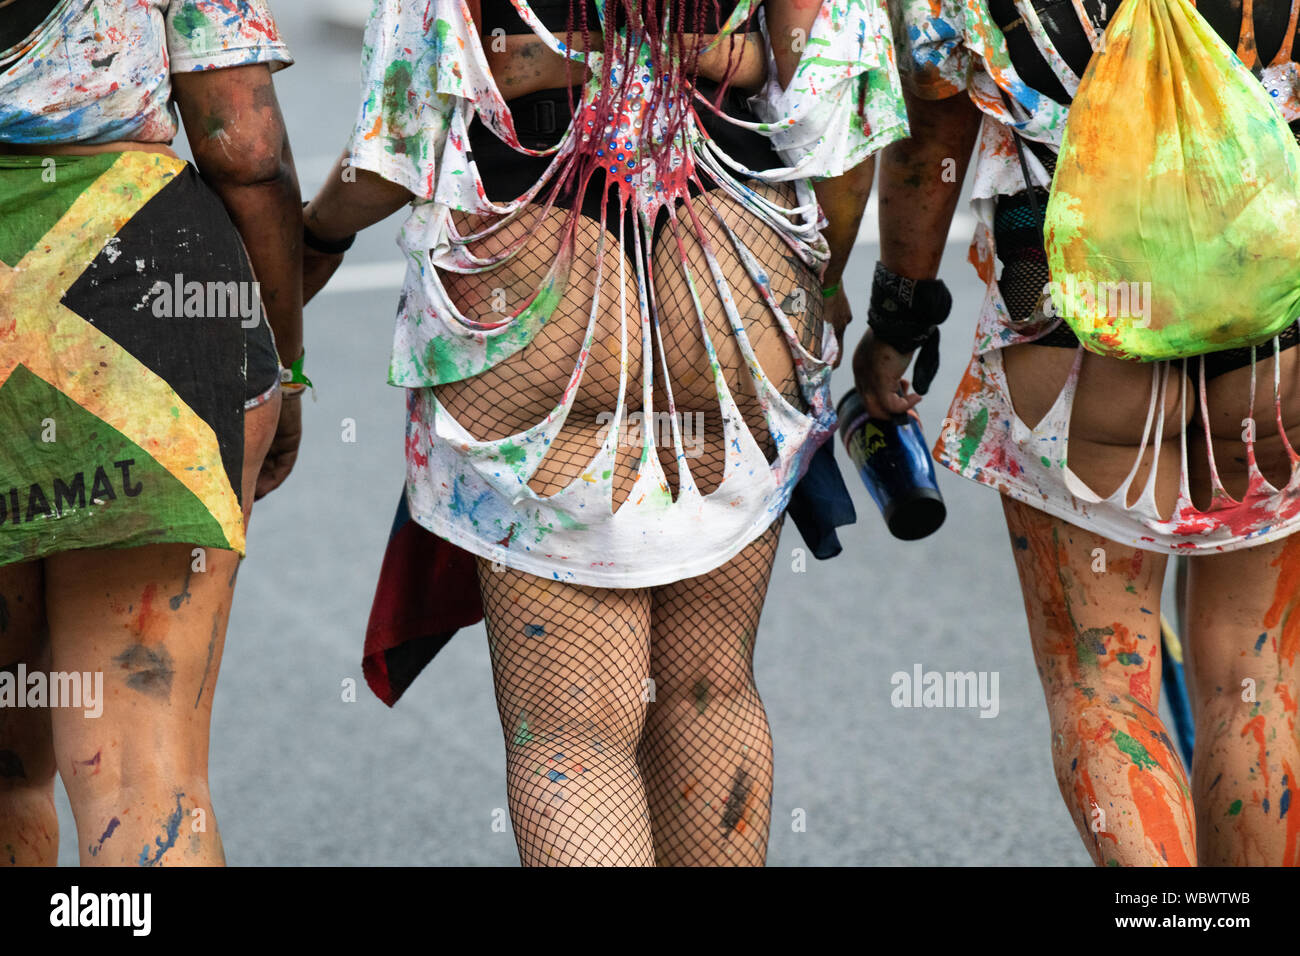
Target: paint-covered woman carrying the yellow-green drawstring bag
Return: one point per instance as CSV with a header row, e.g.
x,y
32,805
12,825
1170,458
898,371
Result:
x,y
1091,530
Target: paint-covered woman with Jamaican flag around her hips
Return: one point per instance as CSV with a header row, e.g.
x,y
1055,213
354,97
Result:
x,y
142,405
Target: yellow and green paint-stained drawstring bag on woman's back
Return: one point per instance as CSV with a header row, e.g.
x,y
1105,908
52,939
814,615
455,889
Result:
x,y
1173,227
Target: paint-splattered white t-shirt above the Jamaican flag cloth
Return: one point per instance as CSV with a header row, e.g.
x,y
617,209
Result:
x,y
101,71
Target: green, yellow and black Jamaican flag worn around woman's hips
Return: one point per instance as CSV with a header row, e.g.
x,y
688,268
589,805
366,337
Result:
x,y
132,341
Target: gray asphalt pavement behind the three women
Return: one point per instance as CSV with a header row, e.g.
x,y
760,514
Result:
x,y
301,777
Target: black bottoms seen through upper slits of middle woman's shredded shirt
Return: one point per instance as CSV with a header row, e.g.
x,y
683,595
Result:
x,y
540,122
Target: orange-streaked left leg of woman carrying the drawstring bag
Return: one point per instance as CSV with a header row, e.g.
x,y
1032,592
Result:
x,y
1097,644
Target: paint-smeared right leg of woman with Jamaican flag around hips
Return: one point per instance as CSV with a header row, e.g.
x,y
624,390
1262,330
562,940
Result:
x,y
154,626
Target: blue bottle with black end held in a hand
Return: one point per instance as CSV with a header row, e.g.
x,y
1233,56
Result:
x,y
894,460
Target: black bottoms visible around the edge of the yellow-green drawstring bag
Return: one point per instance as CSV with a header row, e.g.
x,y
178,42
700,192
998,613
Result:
x,y
1025,274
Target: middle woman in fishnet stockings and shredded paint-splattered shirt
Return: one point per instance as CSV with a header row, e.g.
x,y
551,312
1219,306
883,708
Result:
x,y
617,330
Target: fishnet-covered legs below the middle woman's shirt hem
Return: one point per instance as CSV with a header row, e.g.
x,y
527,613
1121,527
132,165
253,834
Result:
x,y
634,732
